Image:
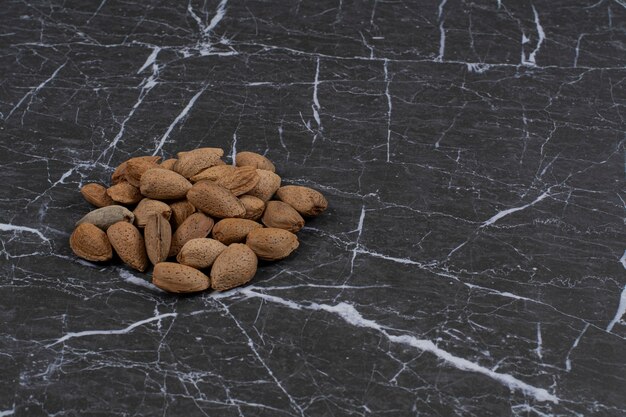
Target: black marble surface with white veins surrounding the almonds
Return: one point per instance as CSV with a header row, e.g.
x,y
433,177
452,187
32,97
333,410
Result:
x,y
471,261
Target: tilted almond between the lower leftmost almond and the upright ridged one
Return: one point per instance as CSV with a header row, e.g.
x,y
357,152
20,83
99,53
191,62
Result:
x,y
129,245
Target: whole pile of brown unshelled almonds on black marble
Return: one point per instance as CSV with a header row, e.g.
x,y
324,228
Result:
x,y
176,204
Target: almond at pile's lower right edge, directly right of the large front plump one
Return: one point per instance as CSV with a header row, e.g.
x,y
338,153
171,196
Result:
x,y
271,244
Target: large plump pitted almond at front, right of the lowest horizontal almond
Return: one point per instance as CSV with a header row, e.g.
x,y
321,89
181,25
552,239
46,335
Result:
x,y
235,266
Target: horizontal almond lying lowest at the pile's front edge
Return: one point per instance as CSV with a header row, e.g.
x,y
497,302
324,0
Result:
x,y
173,277
